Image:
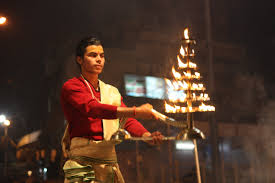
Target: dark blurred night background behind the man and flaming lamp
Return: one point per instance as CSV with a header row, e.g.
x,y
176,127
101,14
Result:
x,y
234,53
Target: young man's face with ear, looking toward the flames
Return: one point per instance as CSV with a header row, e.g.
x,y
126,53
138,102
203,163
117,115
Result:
x,y
93,59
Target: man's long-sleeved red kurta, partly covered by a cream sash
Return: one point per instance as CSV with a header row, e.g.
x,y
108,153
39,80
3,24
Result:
x,y
85,114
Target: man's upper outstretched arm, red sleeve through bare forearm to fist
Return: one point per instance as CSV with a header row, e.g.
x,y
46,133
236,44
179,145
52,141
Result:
x,y
77,95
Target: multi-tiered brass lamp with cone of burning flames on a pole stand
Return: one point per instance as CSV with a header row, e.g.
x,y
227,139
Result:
x,y
186,94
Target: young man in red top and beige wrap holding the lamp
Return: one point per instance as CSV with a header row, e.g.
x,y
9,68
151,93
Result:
x,y
93,109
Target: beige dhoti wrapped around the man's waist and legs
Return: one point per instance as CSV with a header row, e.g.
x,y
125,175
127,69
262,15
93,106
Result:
x,y
92,161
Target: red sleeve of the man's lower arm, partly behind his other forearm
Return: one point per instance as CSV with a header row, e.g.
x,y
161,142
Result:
x,y
134,127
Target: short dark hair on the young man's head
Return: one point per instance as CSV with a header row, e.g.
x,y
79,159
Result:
x,y
81,46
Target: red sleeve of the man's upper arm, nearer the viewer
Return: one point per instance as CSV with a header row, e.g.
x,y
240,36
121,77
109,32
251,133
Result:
x,y
76,94
